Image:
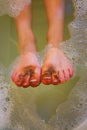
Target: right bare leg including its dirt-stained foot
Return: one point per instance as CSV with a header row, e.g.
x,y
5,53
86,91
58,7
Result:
x,y
56,67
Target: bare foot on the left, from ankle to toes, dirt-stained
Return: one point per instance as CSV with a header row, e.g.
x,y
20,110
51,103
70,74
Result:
x,y
28,71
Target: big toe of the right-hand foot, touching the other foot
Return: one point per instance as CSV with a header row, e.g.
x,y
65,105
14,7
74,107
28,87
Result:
x,y
46,78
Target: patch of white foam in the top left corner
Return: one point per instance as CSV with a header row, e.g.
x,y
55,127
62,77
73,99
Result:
x,y
12,8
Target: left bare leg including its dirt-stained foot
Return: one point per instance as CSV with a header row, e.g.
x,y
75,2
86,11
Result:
x,y
27,71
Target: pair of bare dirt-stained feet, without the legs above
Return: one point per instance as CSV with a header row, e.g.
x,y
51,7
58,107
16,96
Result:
x,y
56,69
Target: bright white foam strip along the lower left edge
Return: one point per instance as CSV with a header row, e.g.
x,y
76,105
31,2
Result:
x,y
5,103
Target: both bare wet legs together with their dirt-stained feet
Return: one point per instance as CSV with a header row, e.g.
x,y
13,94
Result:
x,y
56,68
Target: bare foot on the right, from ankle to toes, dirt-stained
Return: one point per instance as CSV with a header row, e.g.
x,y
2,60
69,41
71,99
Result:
x,y
56,68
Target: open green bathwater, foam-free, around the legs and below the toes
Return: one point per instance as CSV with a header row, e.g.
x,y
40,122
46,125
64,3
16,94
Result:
x,y
46,98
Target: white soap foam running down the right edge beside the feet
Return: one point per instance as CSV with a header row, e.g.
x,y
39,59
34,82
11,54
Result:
x,y
73,112
